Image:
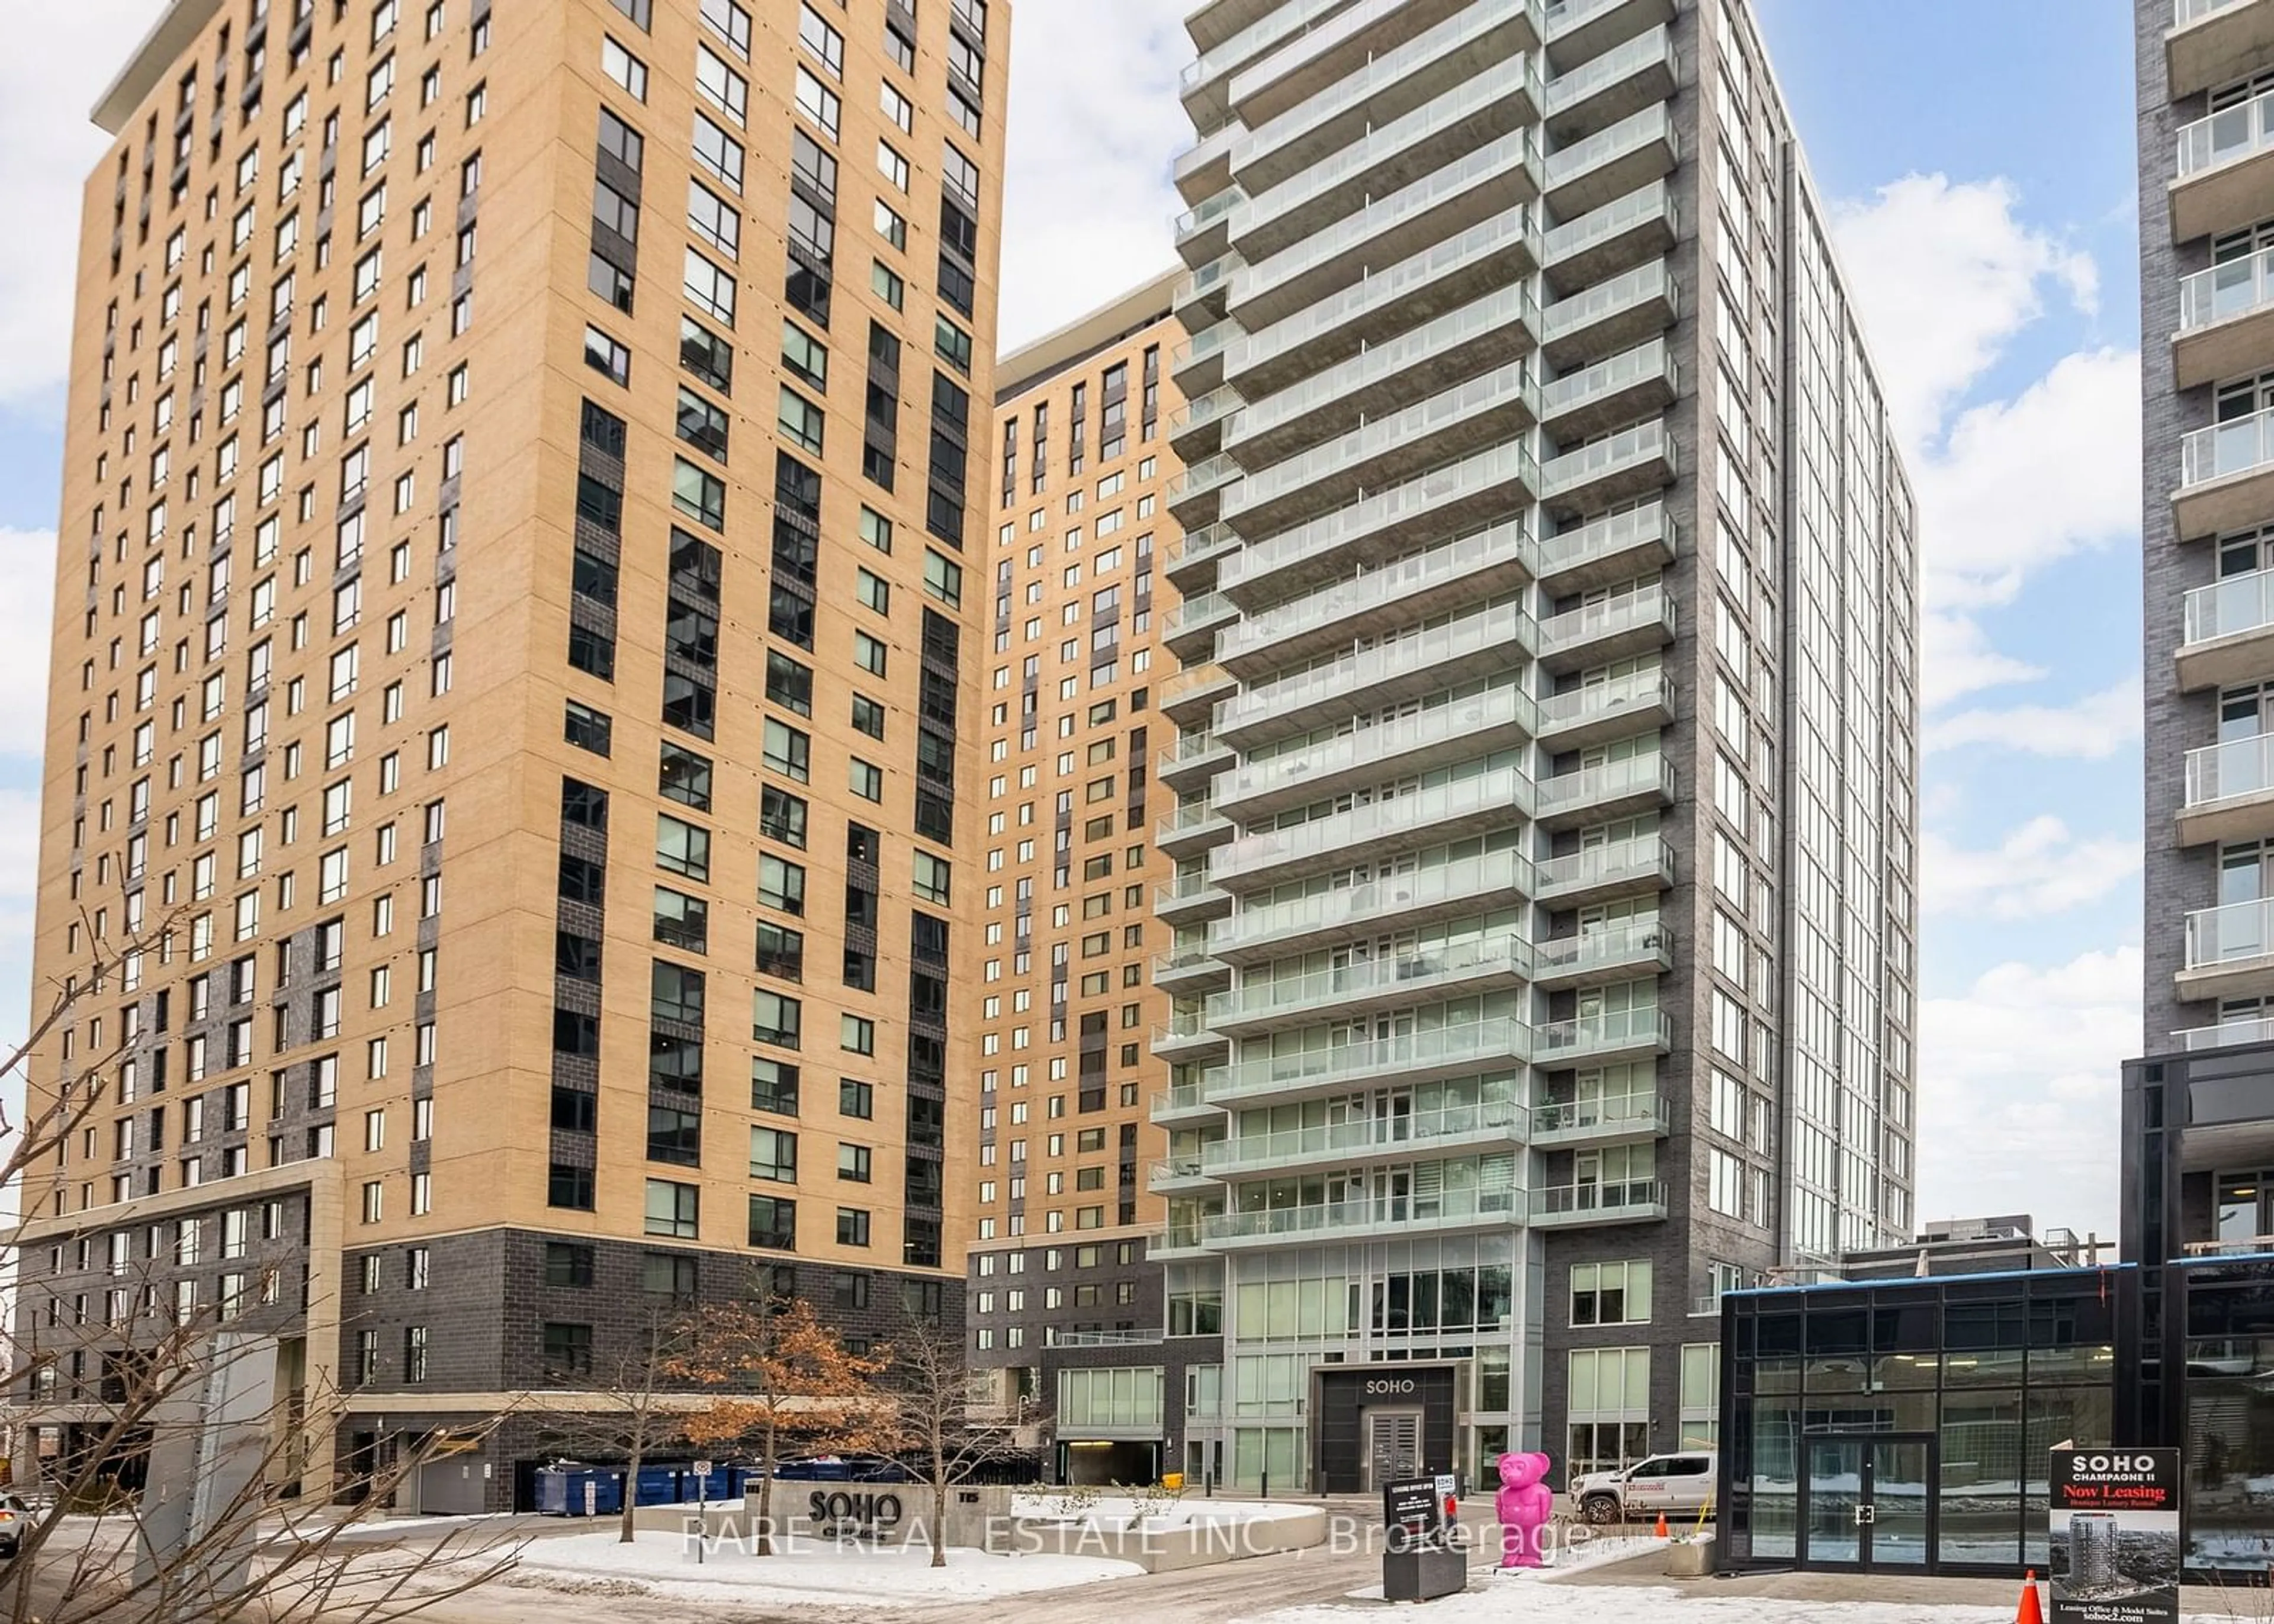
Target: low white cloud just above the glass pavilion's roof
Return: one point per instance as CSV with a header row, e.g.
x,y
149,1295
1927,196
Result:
x,y
2018,1091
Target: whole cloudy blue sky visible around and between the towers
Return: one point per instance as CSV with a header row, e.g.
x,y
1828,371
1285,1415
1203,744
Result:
x,y
1986,215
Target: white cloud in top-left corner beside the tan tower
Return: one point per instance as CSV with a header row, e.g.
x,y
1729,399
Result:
x,y
63,60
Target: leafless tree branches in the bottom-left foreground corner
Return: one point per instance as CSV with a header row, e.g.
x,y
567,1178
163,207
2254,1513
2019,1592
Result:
x,y
213,1539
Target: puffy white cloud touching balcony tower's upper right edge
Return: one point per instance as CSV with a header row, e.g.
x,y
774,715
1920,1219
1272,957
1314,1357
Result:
x,y
1945,276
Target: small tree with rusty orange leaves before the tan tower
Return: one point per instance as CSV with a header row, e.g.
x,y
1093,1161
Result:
x,y
781,1373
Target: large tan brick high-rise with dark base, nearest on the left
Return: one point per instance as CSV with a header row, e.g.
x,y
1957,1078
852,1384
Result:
x,y
520,608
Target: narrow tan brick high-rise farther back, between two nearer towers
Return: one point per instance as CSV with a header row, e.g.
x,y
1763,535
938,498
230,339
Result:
x,y
1079,850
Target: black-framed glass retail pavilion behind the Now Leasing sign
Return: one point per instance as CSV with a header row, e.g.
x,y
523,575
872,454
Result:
x,y
1907,1425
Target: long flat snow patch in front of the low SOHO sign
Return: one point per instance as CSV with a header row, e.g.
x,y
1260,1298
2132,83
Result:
x,y
802,1571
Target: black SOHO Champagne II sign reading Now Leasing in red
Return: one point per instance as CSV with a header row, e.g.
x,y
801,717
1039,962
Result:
x,y
2116,1536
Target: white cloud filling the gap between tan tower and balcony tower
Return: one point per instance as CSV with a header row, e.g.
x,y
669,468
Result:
x,y
1095,131
